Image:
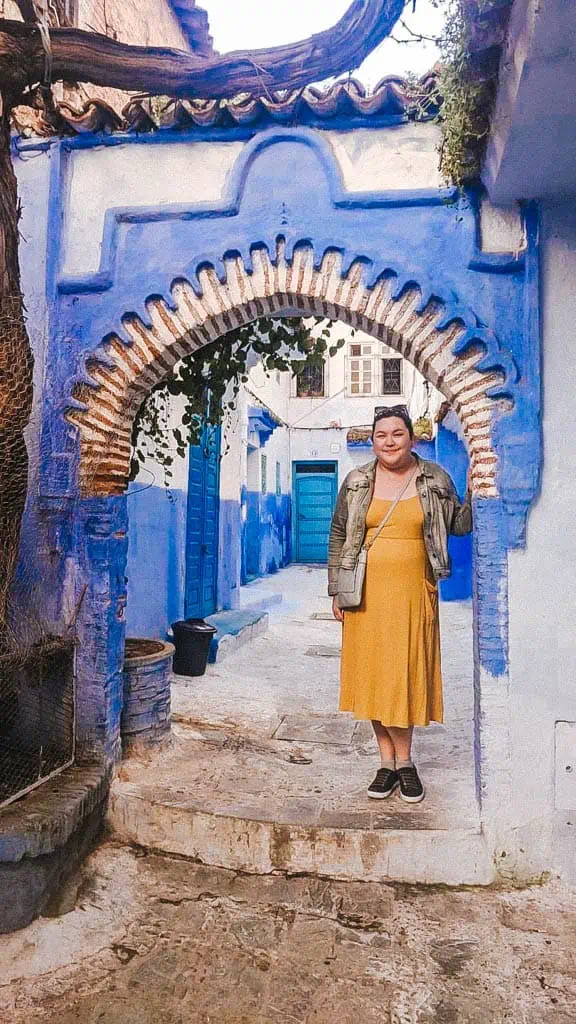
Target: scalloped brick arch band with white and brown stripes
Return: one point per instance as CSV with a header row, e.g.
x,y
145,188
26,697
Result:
x,y
441,338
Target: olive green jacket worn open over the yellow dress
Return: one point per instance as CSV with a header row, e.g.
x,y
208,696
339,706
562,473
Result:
x,y
444,515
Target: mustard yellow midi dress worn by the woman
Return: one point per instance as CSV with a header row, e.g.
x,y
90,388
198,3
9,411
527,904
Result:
x,y
391,668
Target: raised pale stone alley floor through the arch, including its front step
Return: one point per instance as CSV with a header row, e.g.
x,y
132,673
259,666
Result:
x,y
264,774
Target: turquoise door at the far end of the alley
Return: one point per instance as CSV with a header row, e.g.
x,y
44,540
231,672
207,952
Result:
x,y
315,490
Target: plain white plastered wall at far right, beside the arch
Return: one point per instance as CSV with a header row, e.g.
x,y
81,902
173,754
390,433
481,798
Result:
x,y
543,629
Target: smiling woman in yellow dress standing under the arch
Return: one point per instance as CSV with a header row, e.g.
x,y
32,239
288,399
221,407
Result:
x,y
391,670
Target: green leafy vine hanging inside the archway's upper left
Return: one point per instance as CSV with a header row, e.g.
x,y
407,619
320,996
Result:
x,y
211,380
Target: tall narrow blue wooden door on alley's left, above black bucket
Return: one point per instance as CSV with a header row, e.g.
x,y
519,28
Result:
x,y
202,526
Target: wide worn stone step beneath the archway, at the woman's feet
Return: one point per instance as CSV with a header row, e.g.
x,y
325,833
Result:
x,y
255,806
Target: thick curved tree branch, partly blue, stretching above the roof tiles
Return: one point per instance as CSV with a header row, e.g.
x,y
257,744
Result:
x,y
88,57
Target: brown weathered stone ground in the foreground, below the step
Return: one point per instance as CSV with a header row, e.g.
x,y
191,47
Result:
x,y
158,941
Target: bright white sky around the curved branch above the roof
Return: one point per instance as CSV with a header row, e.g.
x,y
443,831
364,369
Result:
x,y
239,25
